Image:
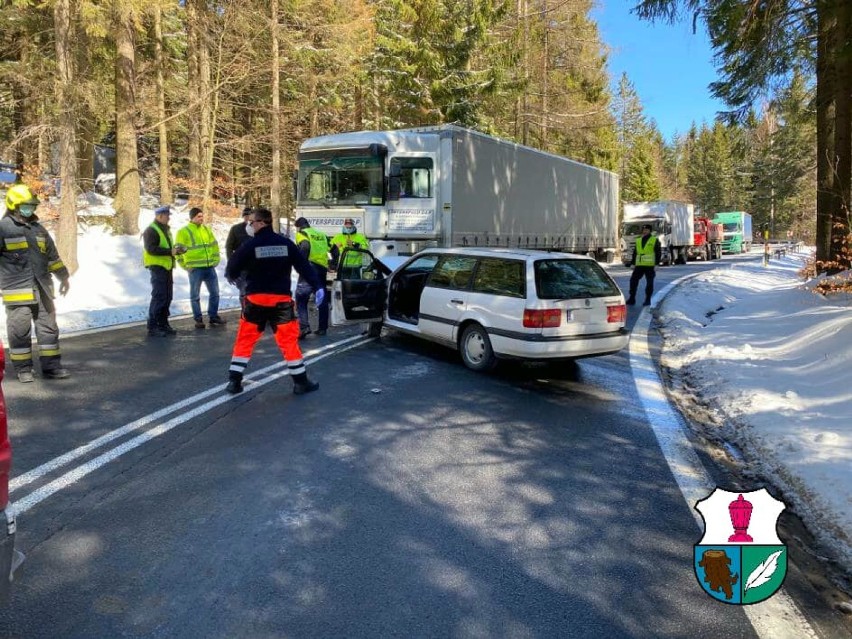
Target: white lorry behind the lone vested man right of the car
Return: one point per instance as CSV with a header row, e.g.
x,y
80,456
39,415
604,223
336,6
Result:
x,y
672,222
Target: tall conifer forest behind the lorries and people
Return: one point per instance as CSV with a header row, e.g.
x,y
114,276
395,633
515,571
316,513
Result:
x,y
211,98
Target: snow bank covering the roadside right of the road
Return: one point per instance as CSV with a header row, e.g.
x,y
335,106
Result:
x,y
772,360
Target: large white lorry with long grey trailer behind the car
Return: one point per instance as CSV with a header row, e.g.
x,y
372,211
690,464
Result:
x,y
446,186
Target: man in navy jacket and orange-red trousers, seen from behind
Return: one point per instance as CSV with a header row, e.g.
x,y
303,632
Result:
x,y
267,259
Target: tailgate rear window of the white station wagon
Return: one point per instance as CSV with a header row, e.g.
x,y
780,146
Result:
x,y
569,279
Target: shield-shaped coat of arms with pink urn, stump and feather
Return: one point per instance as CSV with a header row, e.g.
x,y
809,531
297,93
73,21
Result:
x,y
740,559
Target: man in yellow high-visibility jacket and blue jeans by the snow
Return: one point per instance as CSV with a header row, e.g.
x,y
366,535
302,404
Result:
x,y
200,261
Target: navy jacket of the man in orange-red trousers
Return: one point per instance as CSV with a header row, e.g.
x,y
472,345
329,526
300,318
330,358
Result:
x,y
267,259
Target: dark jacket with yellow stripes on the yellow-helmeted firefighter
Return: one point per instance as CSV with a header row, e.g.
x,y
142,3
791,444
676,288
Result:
x,y
28,257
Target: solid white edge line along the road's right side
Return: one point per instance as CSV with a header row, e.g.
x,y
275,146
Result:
x,y
776,618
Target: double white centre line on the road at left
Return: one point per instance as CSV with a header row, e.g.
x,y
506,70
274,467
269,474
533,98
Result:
x,y
30,500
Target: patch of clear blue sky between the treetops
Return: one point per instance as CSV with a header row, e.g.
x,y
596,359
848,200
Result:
x,y
670,67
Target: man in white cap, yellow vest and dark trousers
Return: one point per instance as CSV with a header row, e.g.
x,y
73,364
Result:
x,y
158,256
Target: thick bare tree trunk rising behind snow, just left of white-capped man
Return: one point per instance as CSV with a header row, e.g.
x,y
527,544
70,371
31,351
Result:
x,y
126,158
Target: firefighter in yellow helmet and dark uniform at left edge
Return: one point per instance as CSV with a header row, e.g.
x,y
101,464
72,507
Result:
x,y
28,258
